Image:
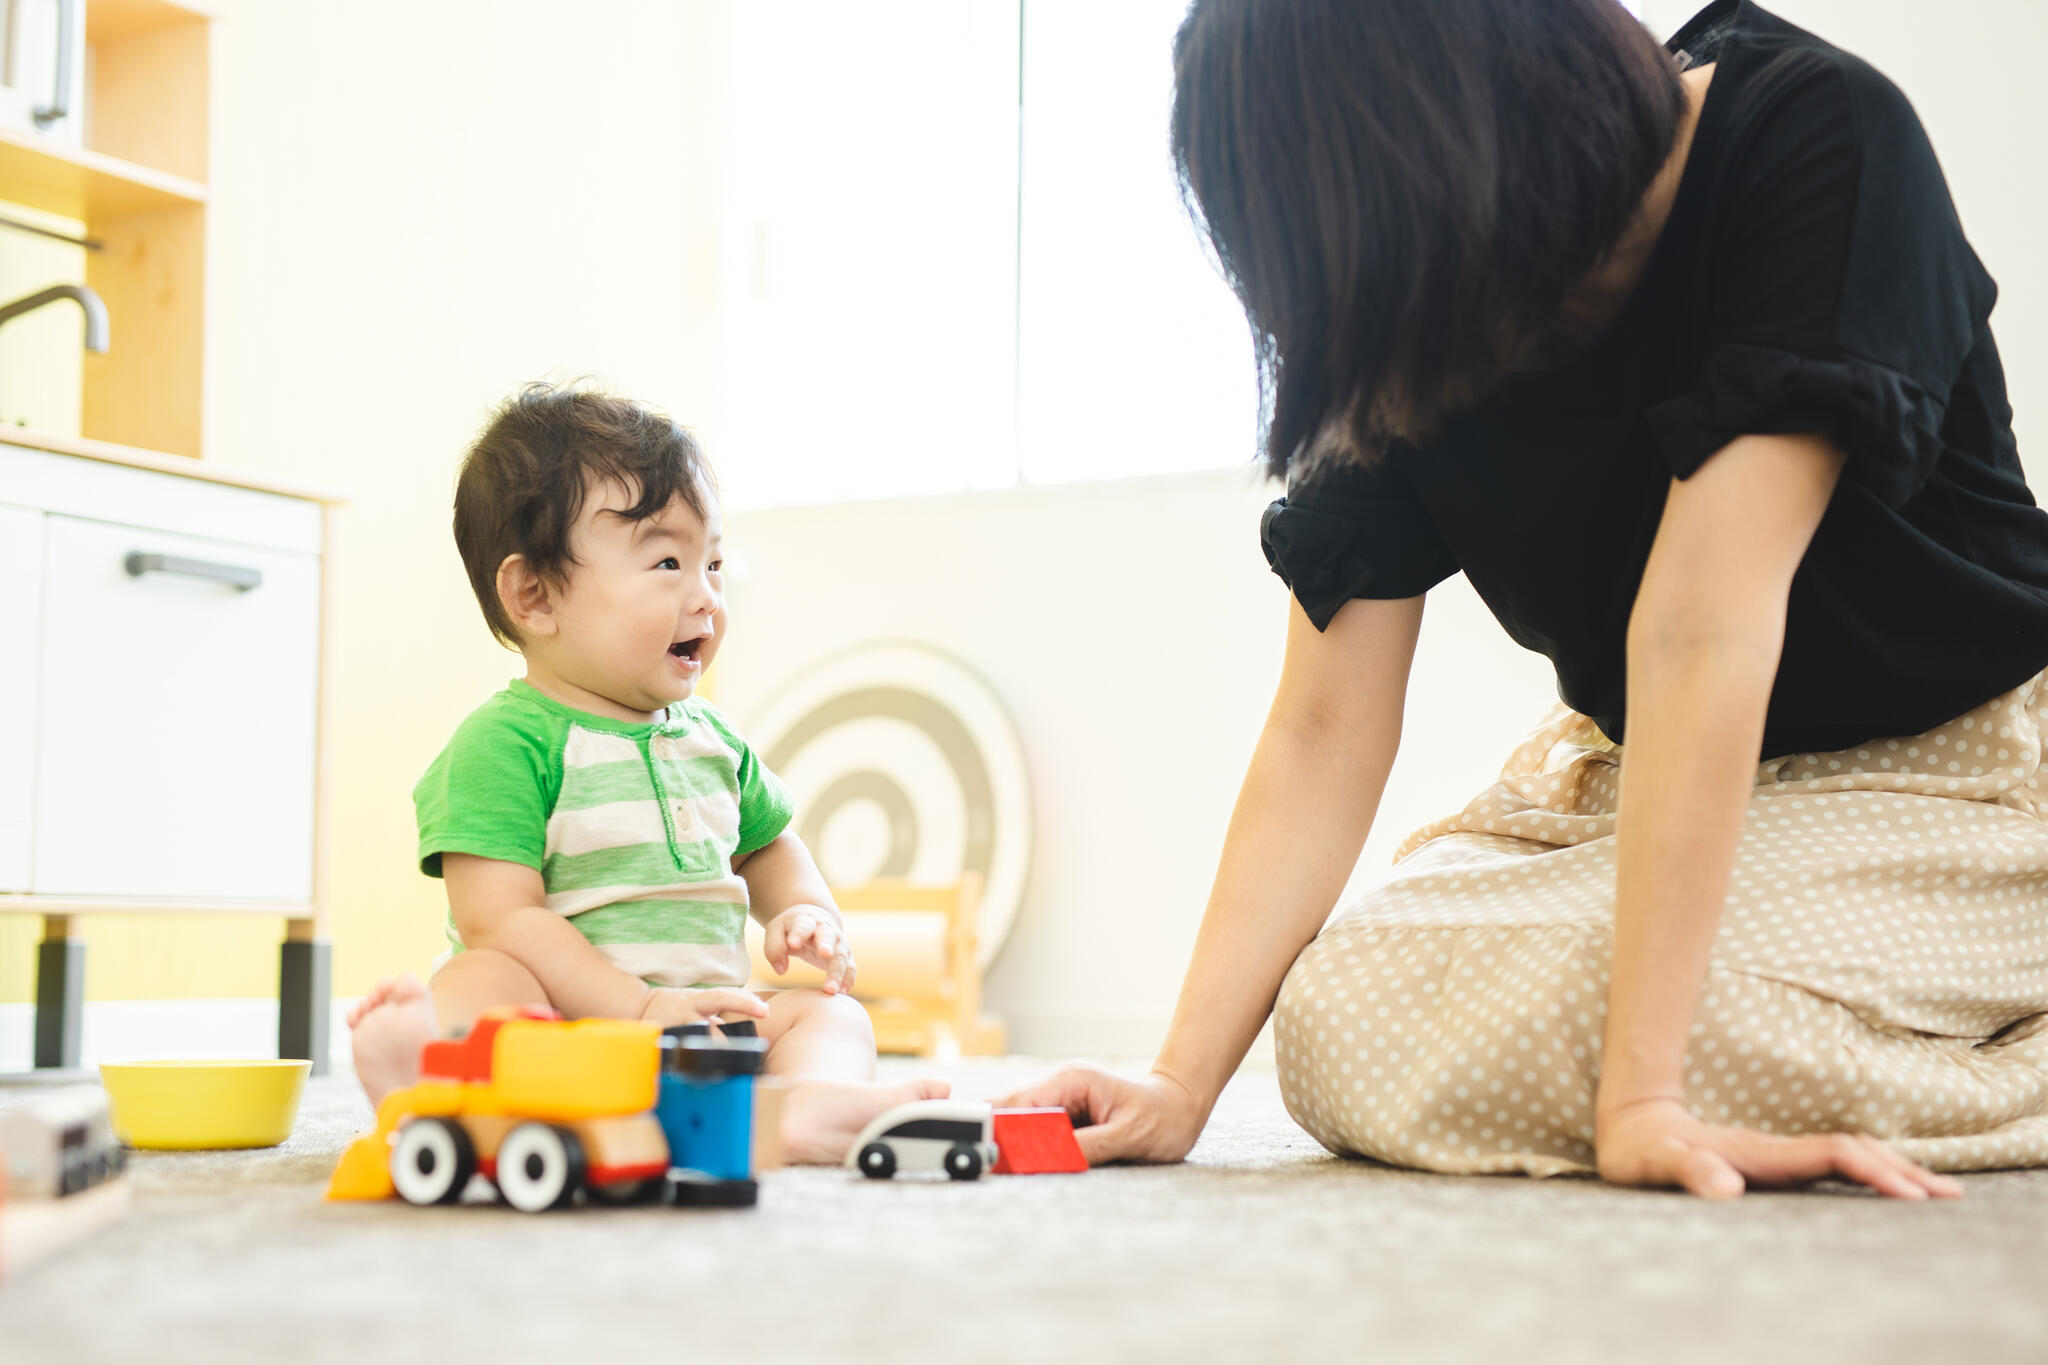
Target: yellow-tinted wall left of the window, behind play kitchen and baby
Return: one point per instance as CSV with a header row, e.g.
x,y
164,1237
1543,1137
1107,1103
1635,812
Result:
x,y
415,210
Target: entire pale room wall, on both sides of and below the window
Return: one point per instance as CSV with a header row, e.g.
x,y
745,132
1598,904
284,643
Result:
x,y
419,206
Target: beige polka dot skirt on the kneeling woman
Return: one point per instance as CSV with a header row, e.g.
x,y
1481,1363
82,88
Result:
x,y
1881,967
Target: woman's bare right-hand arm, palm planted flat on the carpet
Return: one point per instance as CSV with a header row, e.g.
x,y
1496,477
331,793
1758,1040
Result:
x,y
1703,654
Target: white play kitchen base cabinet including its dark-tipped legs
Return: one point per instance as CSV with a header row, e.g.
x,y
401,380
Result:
x,y
161,711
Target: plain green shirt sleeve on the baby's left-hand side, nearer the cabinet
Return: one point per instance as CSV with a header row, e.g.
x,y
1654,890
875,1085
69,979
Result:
x,y
493,789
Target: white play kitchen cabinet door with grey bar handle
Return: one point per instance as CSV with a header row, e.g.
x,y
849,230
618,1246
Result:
x,y
177,725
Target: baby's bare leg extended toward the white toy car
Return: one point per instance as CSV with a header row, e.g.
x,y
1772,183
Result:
x,y
826,1045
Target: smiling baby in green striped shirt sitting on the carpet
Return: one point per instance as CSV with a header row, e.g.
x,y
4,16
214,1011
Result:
x,y
601,834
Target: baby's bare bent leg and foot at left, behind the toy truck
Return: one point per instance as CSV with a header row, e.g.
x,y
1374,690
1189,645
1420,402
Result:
x,y
398,1016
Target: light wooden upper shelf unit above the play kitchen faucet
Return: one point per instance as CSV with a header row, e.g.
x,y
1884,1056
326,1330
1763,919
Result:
x,y
140,191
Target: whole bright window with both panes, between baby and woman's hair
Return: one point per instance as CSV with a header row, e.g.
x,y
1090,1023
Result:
x,y
949,269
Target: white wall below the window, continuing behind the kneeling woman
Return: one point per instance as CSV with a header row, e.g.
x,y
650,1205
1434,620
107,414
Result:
x,y
1136,631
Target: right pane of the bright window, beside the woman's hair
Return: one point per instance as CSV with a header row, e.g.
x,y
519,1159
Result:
x,y
1134,357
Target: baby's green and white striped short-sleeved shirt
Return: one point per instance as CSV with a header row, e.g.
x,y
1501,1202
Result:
x,y
632,828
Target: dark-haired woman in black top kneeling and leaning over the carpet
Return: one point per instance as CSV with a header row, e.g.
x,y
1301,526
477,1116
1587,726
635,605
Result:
x,y
1682,359
